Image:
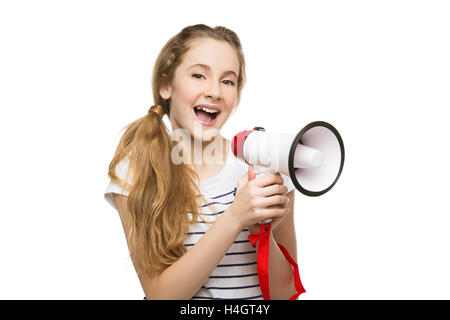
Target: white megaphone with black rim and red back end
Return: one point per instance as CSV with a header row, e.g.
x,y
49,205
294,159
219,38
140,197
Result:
x,y
313,158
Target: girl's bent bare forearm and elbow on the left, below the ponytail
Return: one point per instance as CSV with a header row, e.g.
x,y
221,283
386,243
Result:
x,y
186,276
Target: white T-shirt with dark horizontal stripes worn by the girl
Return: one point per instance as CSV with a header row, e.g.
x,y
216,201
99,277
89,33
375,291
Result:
x,y
236,276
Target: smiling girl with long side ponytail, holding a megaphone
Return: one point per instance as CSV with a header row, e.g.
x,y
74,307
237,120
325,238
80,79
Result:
x,y
187,222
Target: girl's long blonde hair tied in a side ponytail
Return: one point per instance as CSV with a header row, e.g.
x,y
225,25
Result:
x,y
162,193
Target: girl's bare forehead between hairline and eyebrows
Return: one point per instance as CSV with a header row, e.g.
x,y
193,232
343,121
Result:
x,y
219,55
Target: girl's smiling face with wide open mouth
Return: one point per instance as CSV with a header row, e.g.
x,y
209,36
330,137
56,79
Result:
x,y
207,76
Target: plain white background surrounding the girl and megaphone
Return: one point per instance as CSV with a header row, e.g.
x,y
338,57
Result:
x,y
74,73
